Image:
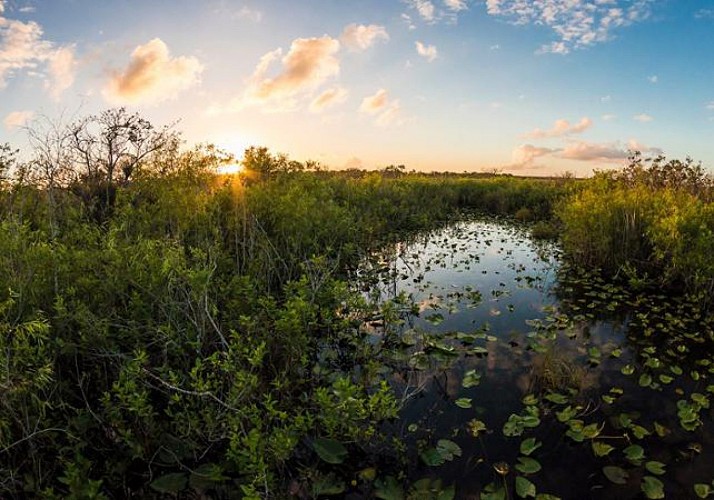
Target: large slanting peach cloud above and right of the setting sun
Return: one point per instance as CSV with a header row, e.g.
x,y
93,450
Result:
x,y
309,64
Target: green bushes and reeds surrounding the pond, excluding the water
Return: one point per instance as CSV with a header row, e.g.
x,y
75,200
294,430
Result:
x,y
162,326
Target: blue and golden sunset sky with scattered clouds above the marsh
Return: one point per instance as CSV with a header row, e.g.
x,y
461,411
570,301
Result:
x,y
530,87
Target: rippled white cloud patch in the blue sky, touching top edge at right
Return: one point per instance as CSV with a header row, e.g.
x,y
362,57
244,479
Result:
x,y
576,23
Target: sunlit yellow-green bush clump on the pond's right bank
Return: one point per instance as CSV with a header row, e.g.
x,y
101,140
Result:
x,y
653,221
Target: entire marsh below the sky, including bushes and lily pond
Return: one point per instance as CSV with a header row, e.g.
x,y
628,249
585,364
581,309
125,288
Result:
x,y
294,332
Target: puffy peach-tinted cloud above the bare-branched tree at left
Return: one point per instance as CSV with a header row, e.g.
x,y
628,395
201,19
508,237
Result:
x,y
152,75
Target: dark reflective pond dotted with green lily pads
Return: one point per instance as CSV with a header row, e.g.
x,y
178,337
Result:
x,y
521,376
